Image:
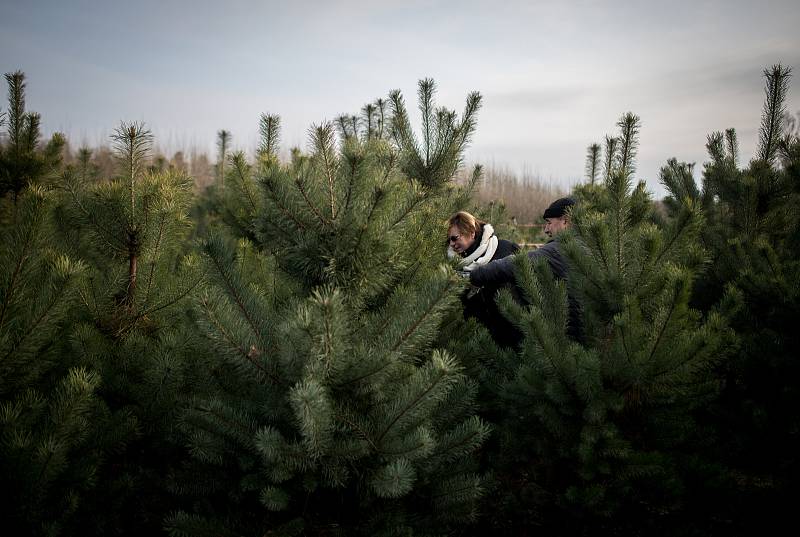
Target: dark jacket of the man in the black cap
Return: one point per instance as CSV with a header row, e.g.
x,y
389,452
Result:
x,y
501,272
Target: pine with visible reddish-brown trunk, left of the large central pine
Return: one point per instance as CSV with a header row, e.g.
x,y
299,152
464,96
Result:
x,y
132,327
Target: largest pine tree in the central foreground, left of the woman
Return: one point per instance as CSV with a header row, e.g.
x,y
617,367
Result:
x,y
327,410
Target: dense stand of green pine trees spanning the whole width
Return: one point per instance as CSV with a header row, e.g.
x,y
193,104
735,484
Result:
x,y
284,353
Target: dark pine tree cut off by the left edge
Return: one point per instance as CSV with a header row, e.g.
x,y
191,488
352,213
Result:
x,y
55,429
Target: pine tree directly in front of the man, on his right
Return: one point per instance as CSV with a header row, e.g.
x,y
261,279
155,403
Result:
x,y
599,428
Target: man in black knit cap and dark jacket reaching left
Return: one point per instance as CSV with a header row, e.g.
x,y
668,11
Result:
x,y
495,273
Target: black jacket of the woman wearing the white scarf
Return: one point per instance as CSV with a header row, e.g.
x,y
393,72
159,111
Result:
x,y
480,303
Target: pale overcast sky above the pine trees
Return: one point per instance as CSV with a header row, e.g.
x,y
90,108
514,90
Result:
x,y
555,76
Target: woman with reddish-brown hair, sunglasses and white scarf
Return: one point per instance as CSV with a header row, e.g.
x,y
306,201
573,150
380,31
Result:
x,y
475,242
